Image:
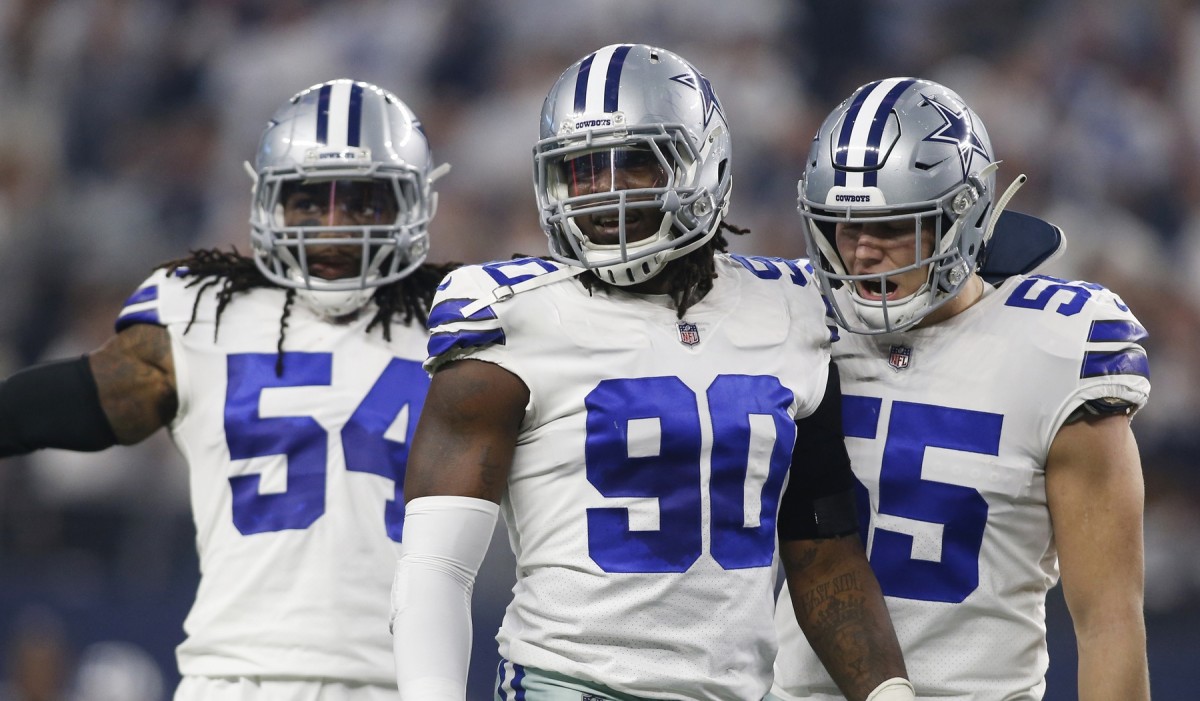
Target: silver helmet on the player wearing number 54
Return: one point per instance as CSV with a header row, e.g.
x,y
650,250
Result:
x,y
343,195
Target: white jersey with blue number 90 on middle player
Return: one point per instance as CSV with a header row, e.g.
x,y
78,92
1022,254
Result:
x,y
653,453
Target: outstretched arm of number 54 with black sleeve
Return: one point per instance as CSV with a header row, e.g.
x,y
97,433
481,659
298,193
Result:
x,y
122,393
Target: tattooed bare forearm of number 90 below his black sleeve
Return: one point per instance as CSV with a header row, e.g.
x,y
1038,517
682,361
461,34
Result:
x,y
842,612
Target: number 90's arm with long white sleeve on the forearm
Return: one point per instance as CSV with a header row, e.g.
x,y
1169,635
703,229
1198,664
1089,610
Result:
x,y
458,472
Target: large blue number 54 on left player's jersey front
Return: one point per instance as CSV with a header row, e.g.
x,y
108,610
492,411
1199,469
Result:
x,y
305,444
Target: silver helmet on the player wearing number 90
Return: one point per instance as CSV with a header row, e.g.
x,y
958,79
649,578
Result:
x,y
631,134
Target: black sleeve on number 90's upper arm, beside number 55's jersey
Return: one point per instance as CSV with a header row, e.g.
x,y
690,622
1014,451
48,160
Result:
x,y
820,498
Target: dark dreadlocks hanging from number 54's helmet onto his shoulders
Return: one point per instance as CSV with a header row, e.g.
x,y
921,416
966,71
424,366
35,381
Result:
x,y
409,298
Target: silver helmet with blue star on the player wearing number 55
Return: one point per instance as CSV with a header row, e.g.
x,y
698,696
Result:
x,y
901,149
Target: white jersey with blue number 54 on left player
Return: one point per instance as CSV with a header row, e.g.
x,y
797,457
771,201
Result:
x,y
296,480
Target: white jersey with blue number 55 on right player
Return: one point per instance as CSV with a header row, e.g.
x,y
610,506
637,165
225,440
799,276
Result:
x,y
949,430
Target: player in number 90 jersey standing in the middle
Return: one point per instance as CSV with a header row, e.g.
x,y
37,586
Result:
x,y
634,406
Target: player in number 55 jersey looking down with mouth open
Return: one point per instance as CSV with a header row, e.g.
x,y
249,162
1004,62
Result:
x,y
988,428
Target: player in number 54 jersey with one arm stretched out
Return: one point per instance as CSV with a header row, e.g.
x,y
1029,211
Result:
x,y
291,384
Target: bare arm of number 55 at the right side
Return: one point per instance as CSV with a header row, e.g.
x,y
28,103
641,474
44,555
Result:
x,y
1096,496
